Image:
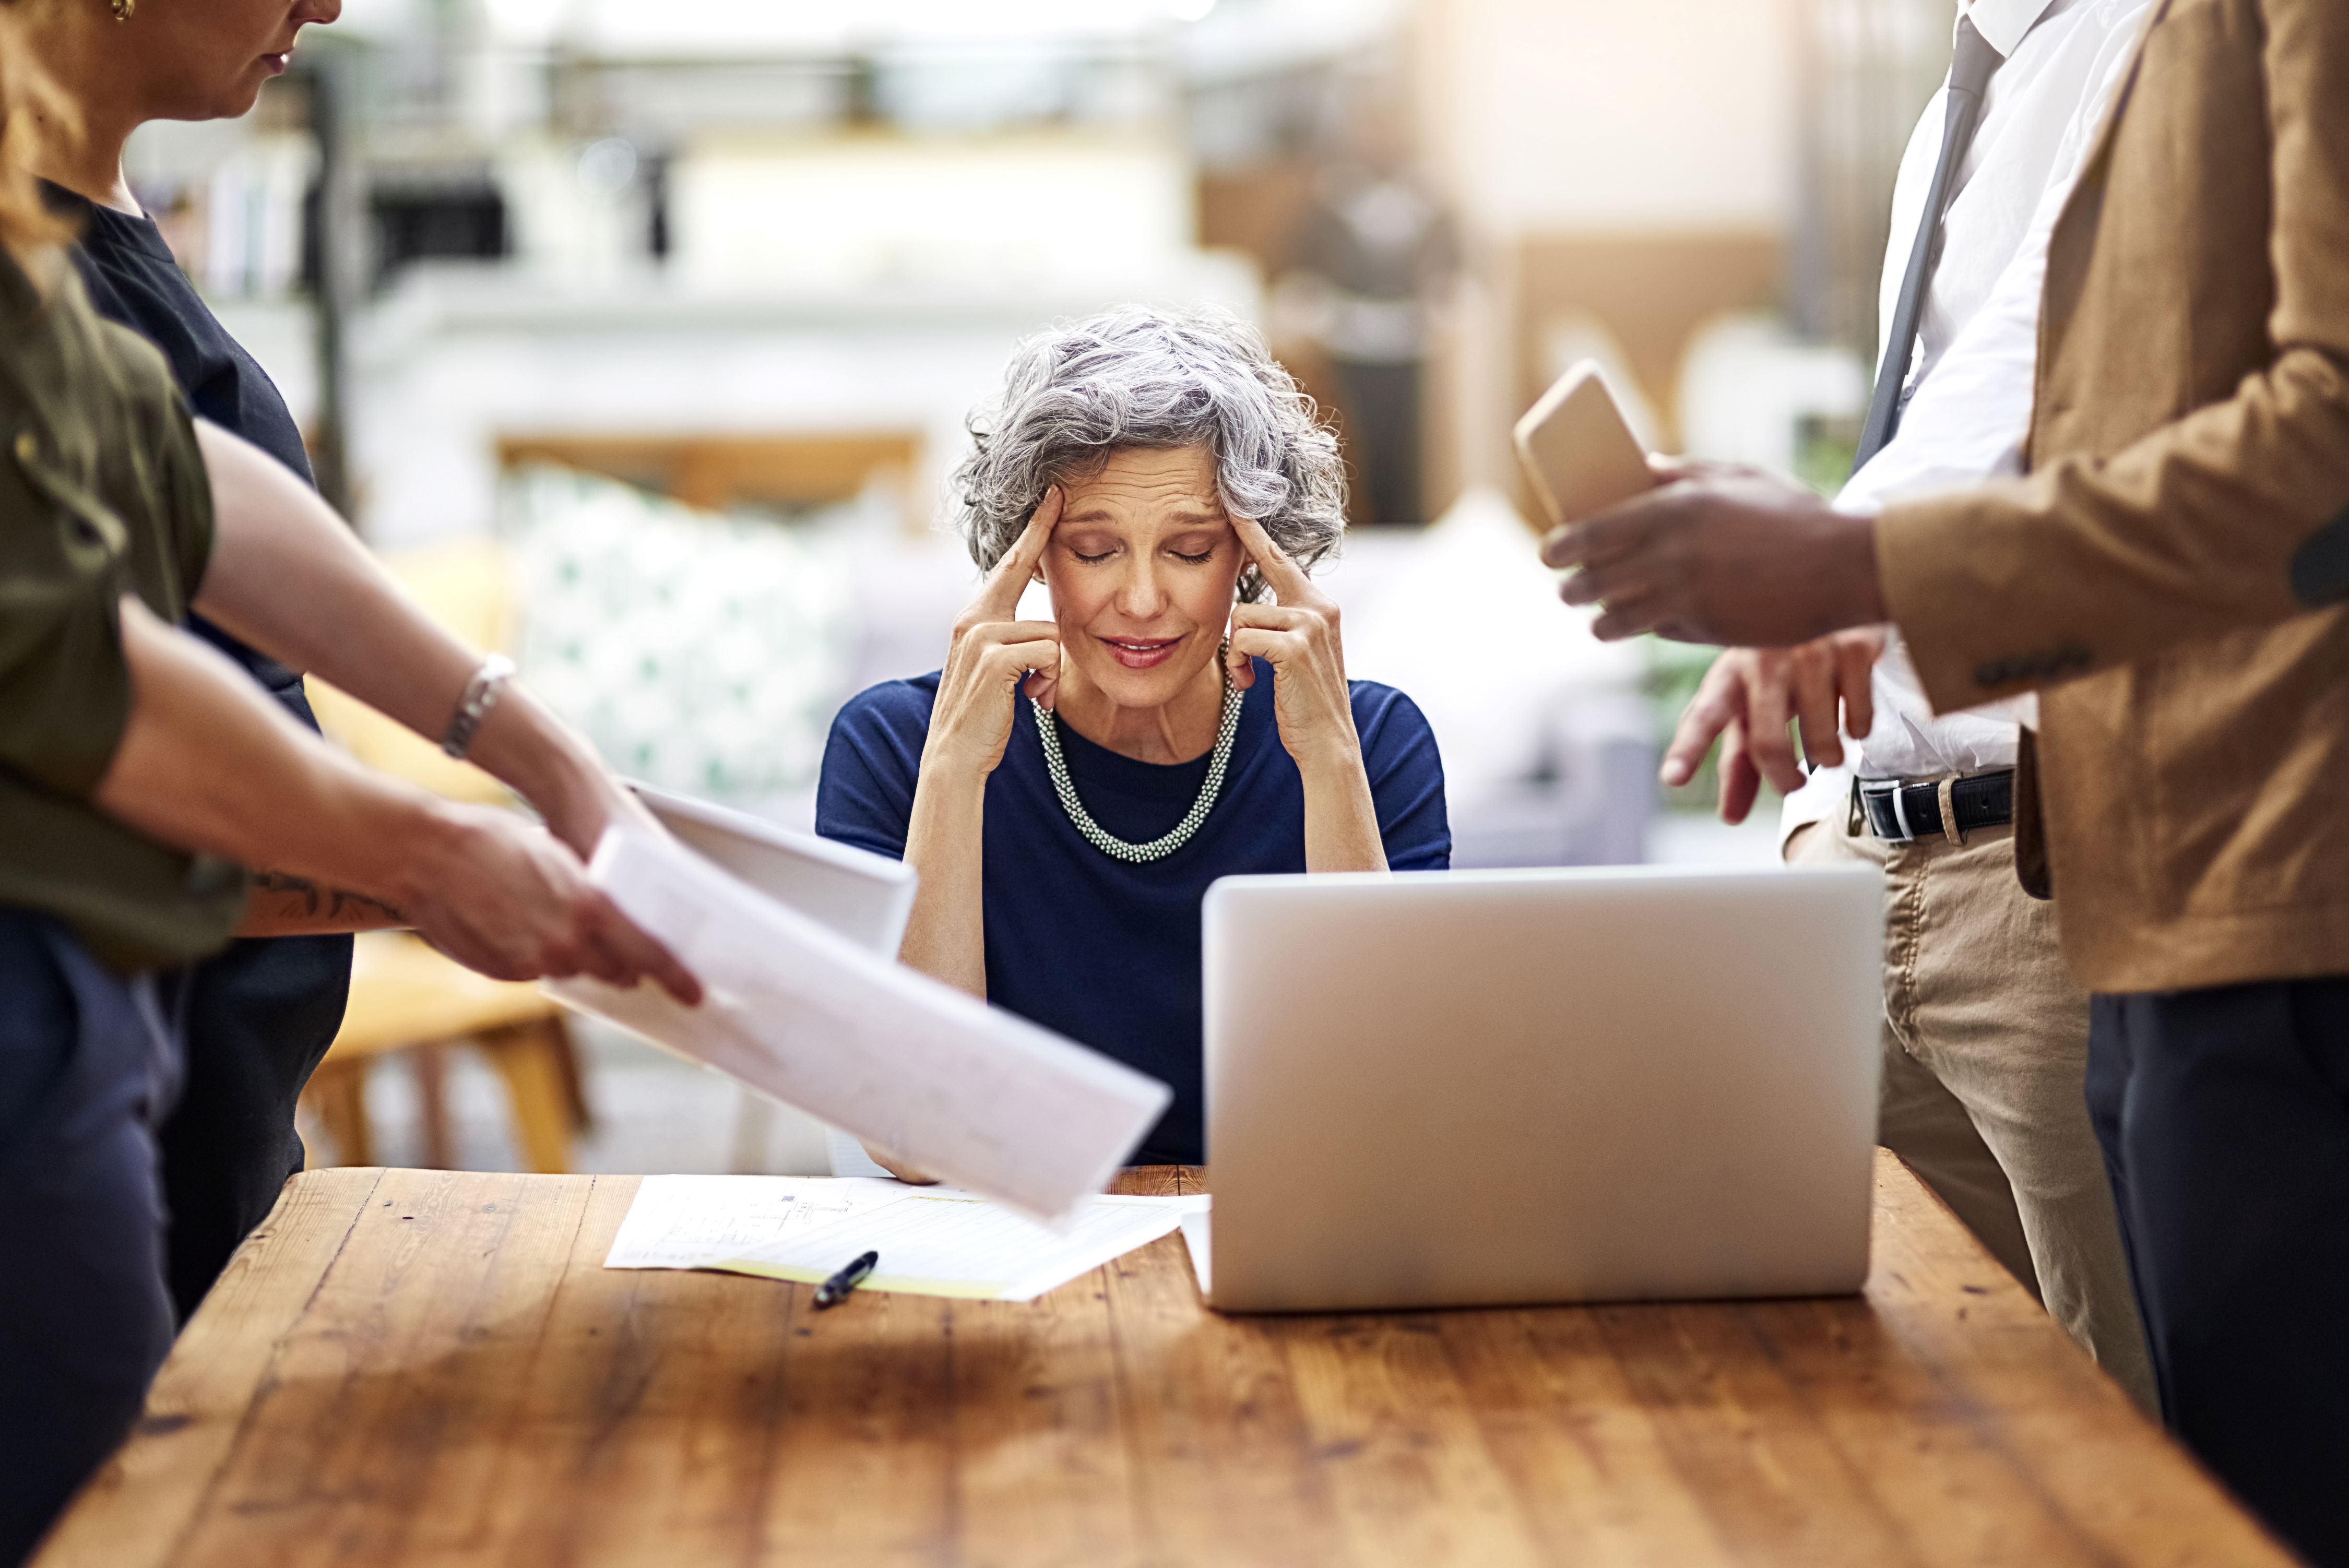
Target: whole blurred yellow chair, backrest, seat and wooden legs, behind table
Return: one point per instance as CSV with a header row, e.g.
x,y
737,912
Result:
x,y
405,999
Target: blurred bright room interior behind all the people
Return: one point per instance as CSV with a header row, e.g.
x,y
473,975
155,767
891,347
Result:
x,y
640,339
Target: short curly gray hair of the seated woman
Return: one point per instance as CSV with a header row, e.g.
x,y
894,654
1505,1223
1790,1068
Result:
x,y
1162,379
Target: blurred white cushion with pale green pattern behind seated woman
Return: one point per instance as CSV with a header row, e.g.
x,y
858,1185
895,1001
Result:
x,y
696,651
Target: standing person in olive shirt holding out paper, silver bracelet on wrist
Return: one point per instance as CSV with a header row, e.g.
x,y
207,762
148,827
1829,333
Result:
x,y
140,771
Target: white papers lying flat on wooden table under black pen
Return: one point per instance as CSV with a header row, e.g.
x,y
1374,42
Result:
x,y
931,1241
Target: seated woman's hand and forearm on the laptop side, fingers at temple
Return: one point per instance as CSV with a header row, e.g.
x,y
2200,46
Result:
x,y
1312,703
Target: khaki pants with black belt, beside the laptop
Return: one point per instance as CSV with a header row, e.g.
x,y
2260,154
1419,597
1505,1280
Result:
x,y
1986,1060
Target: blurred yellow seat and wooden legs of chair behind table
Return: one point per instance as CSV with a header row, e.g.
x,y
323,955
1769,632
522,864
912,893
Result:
x,y
405,999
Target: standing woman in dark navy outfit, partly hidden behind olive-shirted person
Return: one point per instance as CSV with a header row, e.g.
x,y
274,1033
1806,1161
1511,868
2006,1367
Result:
x,y
264,1013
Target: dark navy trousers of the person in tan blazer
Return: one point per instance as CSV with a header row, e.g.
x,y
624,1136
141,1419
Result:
x,y
2226,1128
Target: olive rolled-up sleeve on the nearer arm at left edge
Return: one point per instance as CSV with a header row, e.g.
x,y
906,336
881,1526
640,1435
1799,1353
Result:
x,y
65,687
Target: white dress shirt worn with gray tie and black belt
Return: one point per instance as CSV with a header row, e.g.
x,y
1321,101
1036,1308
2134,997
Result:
x,y
1967,407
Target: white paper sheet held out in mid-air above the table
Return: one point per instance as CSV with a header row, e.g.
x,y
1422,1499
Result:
x,y
795,1011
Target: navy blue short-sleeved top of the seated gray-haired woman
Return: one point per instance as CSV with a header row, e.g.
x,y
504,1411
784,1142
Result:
x,y
1086,945
